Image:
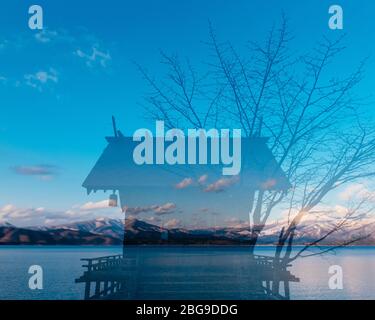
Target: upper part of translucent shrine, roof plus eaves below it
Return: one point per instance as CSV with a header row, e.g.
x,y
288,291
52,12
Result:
x,y
115,171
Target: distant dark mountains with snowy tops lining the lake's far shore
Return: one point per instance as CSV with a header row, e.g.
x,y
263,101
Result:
x,y
110,232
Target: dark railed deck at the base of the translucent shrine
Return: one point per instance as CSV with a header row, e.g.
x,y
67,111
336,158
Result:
x,y
186,274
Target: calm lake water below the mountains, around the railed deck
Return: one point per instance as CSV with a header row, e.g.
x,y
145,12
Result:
x,y
62,265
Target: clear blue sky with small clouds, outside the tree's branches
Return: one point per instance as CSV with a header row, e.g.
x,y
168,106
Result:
x,y
60,86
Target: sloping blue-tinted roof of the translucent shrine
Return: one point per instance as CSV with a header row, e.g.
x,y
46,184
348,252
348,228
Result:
x,y
115,168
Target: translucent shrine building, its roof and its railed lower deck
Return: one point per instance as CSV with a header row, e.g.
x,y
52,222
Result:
x,y
142,276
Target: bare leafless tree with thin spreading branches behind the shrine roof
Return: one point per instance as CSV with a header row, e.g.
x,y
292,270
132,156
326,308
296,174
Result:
x,y
312,119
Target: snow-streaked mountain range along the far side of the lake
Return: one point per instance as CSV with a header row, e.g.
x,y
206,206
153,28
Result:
x,y
103,231
